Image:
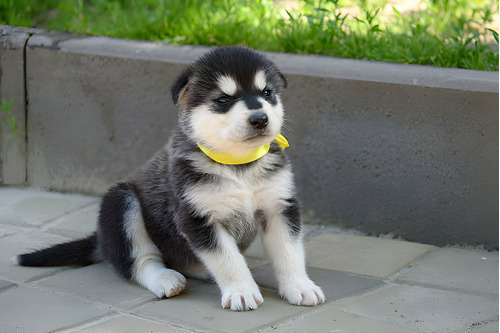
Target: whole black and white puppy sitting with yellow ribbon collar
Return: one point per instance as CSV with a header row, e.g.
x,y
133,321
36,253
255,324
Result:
x,y
200,201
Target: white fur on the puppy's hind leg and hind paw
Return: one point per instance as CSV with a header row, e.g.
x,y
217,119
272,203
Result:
x,y
148,268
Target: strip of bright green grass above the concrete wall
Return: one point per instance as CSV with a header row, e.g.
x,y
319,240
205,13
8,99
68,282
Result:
x,y
447,33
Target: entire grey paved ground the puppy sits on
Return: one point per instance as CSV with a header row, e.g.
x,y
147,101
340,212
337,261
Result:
x,y
371,284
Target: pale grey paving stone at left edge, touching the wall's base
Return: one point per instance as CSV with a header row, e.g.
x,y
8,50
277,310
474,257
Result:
x,y
31,207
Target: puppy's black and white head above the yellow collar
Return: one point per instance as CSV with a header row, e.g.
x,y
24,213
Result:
x,y
230,100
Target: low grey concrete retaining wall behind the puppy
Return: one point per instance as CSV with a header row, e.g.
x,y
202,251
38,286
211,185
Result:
x,y
382,148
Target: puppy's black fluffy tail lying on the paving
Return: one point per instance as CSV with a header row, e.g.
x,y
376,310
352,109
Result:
x,y
81,252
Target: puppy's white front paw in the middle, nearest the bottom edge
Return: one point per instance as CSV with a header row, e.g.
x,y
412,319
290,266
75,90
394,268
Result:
x,y
242,298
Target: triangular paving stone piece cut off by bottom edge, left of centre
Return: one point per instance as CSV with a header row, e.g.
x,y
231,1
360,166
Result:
x,y
129,324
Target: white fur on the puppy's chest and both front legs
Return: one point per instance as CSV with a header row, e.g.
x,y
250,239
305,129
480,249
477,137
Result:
x,y
247,193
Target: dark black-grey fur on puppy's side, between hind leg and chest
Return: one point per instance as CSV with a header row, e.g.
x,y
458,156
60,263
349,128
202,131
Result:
x,y
160,189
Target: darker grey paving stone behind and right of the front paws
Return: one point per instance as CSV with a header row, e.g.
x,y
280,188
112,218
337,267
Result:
x,y
335,284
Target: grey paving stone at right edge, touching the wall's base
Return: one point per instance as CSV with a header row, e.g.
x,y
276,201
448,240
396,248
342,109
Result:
x,y
474,270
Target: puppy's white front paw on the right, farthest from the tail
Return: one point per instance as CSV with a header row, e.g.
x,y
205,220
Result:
x,y
302,293
